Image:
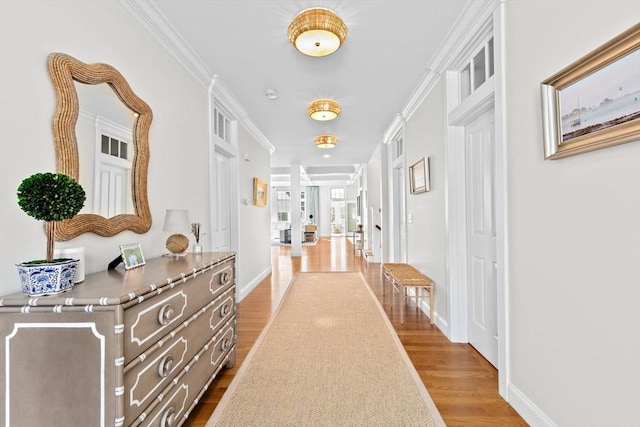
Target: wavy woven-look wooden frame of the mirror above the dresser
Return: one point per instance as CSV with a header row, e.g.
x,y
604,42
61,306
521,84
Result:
x,y
63,70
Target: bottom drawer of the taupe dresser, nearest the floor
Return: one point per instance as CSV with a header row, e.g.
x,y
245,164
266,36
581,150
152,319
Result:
x,y
180,394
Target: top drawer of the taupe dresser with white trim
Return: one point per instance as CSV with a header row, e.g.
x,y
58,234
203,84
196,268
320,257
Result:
x,y
154,317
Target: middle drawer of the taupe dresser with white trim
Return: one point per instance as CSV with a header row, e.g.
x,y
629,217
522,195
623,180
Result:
x,y
150,372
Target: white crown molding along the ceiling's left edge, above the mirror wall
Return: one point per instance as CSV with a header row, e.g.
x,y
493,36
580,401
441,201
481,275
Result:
x,y
159,26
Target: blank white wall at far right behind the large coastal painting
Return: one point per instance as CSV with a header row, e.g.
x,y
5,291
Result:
x,y
574,232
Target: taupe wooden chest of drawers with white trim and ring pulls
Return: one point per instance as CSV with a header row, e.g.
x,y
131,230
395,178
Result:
x,y
134,348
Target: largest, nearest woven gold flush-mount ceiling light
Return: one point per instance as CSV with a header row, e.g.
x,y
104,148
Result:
x,y
317,31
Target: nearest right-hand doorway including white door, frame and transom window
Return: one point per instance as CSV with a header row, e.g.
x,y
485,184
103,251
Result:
x,y
476,158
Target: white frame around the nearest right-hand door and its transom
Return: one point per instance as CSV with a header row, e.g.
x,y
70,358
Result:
x,y
490,96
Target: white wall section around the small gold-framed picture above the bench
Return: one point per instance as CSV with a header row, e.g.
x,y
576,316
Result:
x,y
424,137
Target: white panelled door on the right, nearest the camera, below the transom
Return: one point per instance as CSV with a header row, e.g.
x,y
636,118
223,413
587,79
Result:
x,y
481,236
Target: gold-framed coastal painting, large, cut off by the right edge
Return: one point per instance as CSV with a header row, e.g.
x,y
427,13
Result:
x,y
595,102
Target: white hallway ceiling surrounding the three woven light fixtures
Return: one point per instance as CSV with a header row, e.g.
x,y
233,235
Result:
x,y
387,51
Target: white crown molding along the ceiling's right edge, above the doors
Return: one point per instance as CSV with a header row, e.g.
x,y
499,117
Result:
x,y
474,20
